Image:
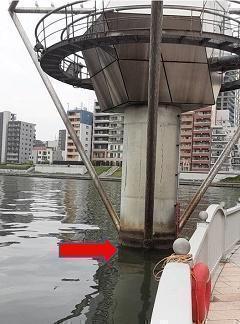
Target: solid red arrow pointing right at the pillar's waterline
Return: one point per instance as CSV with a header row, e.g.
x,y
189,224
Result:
x,y
103,250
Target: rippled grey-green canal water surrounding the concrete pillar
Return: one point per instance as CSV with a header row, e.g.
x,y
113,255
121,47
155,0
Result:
x,y
37,287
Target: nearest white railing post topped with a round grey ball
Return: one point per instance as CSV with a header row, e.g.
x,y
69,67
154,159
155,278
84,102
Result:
x,y
173,303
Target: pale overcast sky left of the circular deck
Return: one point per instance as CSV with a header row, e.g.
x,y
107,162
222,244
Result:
x,y
22,91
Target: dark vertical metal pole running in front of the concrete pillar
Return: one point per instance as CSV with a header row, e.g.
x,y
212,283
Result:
x,y
153,95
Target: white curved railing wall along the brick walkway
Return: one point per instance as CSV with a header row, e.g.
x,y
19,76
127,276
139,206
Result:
x,y
214,237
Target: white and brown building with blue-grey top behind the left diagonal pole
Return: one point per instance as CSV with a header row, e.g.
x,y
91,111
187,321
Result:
x,y
81,121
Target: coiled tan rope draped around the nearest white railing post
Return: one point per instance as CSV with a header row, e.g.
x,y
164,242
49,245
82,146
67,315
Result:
x,y
159,266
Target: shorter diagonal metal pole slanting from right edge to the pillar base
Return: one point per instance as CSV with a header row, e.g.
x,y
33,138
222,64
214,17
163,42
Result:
x,y
205,184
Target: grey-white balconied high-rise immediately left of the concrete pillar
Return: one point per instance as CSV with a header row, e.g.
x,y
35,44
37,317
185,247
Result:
x,y
107,142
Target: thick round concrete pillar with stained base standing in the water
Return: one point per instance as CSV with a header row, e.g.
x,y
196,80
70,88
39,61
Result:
x,y
134,176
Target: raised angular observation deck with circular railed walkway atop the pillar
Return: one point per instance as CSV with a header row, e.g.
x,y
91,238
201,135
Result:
x,y
84,48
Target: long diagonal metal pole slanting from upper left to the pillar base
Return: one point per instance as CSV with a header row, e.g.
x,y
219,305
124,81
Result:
x,y
66,121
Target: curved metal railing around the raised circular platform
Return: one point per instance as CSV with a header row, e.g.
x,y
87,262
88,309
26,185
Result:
x,y
76,21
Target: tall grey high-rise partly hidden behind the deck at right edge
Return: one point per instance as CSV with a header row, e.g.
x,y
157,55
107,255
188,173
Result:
x,y
229,100
